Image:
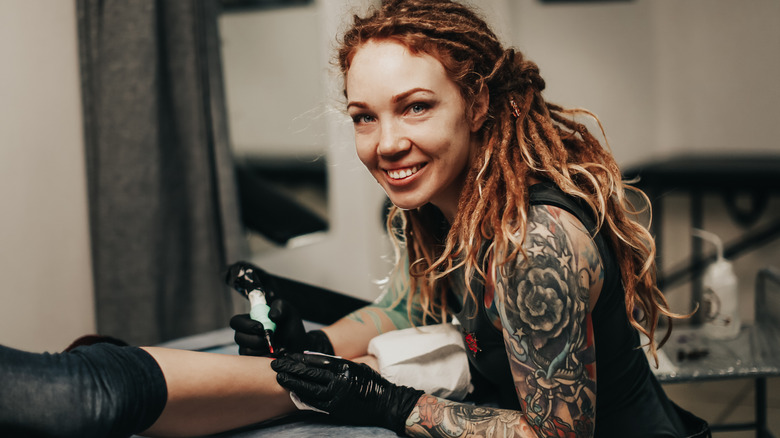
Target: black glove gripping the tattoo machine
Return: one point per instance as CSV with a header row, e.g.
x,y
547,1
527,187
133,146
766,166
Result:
x,y
289,337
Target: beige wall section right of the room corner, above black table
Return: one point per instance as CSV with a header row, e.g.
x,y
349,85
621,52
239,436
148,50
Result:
x,y
716,68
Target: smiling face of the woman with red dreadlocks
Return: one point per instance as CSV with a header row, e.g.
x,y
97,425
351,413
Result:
x,y
412,129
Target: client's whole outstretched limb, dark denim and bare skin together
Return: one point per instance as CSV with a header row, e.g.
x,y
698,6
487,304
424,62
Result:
x,y
108,390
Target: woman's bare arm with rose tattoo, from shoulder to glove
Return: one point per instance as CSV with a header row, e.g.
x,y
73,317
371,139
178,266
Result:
x,y
544,308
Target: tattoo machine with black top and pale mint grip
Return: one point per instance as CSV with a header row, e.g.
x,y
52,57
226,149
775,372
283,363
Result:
x,y
245,278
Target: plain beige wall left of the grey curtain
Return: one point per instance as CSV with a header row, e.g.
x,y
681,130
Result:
x,y
45,274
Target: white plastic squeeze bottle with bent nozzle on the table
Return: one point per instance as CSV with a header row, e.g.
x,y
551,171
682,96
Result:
x,y
720,301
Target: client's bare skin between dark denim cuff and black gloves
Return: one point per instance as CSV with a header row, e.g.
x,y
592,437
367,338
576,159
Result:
x,y
209,392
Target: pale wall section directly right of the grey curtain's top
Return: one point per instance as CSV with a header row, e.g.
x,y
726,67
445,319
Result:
x,y
274,99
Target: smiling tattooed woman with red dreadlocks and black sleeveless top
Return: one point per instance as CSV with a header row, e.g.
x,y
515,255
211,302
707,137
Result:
x,y
508,215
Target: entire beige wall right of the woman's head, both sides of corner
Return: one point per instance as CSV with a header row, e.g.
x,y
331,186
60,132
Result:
x,y
665,77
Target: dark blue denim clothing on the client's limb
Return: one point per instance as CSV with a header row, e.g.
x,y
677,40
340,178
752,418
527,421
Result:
x,y
101,390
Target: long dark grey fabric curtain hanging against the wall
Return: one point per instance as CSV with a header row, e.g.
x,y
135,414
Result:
x,y
164,219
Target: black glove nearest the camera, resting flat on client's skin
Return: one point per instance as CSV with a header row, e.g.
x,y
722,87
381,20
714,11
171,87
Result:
x,y
353,393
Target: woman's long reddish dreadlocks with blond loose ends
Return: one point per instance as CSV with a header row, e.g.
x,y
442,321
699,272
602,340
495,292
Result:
x,y
523,137
